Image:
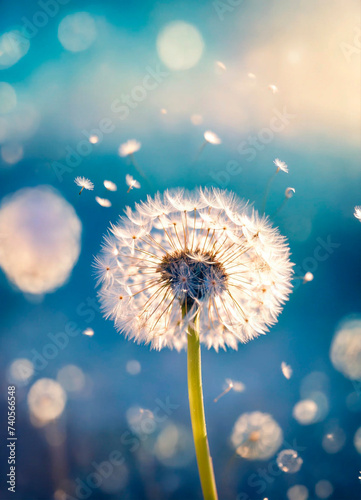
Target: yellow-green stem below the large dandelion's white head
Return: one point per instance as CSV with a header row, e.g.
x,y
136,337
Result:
x,y
195,394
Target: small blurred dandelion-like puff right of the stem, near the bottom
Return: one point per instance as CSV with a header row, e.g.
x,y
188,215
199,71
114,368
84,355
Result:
x,y
256,436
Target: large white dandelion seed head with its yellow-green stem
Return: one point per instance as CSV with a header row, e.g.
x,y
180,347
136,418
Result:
x,y
191,269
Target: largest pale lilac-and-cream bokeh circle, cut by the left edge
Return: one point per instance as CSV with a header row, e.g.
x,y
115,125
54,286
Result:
x,y
40,236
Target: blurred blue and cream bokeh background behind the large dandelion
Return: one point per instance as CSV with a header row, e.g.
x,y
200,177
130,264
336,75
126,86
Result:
x,y
97,416
